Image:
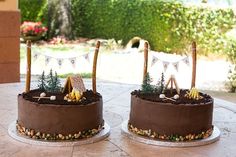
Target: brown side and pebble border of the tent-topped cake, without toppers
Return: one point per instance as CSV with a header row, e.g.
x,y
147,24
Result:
x,y
68,120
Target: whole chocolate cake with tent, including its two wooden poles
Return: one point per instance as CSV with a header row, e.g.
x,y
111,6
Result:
x,y
51,112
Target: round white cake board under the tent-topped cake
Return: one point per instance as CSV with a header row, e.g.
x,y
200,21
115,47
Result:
x,y
104,133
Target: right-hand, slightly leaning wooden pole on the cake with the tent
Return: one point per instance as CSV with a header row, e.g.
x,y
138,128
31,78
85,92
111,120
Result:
x,y
95,67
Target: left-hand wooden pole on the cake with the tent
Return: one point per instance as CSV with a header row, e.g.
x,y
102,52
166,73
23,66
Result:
x,y
28,70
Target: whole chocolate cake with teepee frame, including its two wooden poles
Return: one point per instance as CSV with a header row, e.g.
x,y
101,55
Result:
x,y
171,114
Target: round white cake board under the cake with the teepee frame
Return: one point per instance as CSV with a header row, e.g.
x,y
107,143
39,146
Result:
x,y
213,138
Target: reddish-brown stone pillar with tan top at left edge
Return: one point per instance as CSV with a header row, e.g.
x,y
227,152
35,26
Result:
x,y
9,41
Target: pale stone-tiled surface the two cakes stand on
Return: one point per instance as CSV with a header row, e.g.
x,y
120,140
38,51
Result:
x,y
116,97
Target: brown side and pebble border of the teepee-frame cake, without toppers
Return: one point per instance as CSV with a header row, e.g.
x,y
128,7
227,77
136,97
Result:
x,y
164,119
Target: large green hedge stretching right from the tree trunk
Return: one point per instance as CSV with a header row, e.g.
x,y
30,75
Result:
x,y
168,26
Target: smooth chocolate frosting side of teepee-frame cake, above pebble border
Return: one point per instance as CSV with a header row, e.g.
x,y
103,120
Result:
x,y
170,119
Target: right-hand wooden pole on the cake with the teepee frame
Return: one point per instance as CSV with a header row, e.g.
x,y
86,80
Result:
x,y
194,58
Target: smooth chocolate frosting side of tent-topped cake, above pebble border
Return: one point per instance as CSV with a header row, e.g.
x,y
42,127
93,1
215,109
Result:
x,y
63,119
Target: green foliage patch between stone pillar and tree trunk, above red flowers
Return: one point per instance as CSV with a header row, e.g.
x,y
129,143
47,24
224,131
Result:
x,y
33,10
